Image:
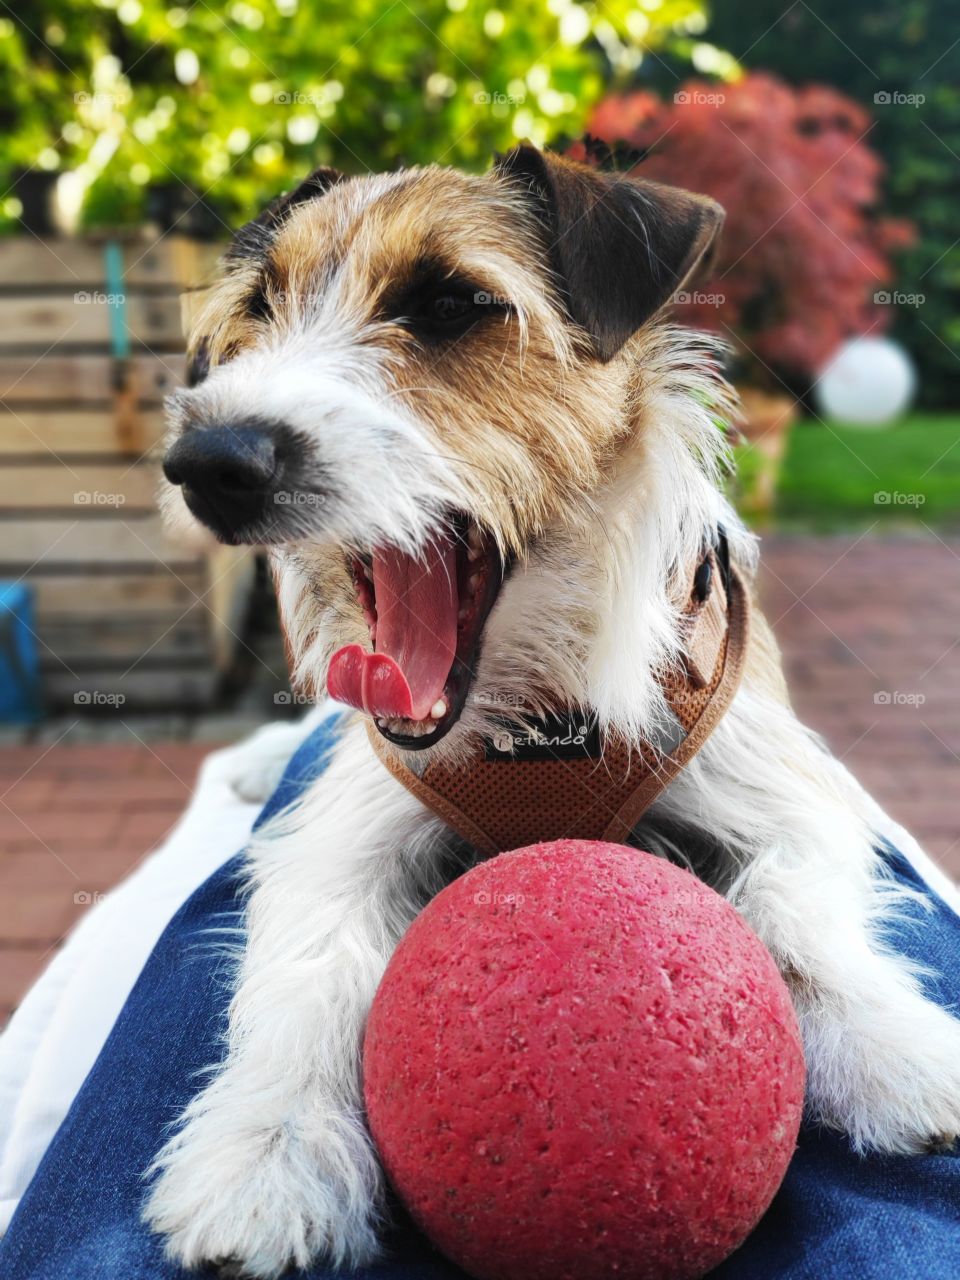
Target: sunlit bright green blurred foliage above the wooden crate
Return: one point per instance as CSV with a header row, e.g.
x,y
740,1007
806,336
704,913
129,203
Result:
x,y
237,102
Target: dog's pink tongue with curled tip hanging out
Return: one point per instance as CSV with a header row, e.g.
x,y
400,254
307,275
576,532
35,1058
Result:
x,y
417,637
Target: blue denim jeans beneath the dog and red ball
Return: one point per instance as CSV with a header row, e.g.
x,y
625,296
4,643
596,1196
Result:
x,y
836,1217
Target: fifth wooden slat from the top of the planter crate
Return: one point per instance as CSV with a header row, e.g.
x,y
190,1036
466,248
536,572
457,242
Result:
x,y
92,492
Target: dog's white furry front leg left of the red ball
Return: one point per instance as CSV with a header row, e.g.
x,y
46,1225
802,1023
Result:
x,y
284,1126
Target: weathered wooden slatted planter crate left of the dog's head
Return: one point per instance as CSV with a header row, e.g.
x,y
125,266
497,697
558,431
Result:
x,y
120,609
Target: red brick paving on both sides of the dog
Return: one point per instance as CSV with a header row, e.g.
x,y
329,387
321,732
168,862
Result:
x,y
857,619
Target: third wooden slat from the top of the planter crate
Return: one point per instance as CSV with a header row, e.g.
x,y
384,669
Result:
x,y
79,380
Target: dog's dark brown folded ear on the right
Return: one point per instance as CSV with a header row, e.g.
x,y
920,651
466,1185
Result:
x,y
620,246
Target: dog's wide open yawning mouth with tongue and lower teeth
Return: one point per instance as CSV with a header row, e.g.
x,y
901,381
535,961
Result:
x,y
427,616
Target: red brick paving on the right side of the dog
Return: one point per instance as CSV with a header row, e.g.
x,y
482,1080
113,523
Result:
x,y
871,636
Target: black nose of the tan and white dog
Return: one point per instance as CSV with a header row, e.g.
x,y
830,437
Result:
x,y
228,476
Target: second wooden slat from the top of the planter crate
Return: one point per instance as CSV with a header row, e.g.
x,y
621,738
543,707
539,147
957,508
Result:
x,y
84,317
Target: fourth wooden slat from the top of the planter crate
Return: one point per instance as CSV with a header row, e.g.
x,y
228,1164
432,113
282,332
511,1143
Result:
x,y
63,433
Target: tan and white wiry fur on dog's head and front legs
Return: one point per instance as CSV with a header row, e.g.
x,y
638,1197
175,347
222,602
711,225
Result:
x,y
602,479
